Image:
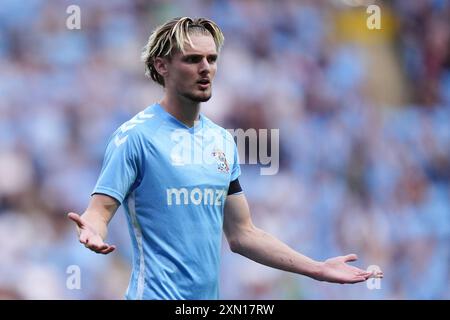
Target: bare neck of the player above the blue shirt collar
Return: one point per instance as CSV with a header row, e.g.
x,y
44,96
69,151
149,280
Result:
x,y
183,109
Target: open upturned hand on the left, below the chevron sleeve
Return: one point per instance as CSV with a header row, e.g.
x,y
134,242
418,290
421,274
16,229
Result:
x,y
89,236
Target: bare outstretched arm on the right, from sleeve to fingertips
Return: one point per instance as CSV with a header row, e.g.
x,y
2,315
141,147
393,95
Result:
x,y
244,238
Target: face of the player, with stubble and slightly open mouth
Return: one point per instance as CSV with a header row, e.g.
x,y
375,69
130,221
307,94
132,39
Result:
x,y
190,74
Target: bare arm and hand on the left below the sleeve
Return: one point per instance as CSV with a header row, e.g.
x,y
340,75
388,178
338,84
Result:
x,y
92,226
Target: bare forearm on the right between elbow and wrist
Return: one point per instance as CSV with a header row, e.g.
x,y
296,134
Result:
x,y
264,248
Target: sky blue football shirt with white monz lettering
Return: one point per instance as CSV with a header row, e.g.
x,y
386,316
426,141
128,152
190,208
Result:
x,y
173,182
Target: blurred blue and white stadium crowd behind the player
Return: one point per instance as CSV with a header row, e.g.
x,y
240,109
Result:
x,y
364,135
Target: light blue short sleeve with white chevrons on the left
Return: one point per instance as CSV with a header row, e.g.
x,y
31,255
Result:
x,y
120,167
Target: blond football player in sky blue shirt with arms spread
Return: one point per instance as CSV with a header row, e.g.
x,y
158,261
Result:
x,y
176,173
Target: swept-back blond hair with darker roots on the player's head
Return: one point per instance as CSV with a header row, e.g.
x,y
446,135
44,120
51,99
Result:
x,y
172,36
